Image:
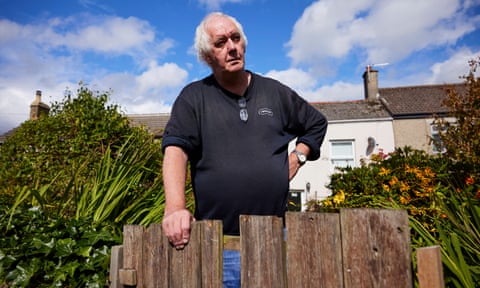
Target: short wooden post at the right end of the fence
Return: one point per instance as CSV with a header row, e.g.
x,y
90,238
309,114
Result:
x,y
429,267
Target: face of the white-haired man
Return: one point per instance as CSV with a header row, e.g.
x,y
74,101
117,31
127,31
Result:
x,y
227,46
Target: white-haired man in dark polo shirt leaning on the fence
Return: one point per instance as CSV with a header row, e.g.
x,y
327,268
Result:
x,y
234,127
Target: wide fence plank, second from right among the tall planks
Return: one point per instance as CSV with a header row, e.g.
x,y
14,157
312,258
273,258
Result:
x,y
314,250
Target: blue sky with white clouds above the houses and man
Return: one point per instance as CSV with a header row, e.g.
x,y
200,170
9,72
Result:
x,y
141,51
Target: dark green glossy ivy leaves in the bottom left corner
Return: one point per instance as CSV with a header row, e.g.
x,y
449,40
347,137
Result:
x,y
40,251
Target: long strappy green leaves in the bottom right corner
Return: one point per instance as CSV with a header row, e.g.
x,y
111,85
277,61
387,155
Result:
x,y
457,234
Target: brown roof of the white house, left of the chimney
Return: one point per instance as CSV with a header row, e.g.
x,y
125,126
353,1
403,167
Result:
x,y
352,110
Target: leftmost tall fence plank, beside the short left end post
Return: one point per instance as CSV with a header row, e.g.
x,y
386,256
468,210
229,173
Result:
x,y
133,250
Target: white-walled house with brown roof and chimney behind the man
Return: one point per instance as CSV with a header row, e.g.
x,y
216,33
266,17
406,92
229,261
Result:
x,y
356,130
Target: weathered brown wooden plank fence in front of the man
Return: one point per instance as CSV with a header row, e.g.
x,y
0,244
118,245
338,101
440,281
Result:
x,y
353,248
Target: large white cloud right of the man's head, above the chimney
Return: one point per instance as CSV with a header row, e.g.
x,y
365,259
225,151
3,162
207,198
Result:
x,y
373,30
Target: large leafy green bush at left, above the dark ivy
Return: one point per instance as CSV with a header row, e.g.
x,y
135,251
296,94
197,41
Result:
x,y
70,139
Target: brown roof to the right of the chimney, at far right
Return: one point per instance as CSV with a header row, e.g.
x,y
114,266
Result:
x,y
417,101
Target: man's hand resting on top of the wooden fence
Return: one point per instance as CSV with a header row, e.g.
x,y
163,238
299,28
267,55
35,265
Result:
x,y
176,226
